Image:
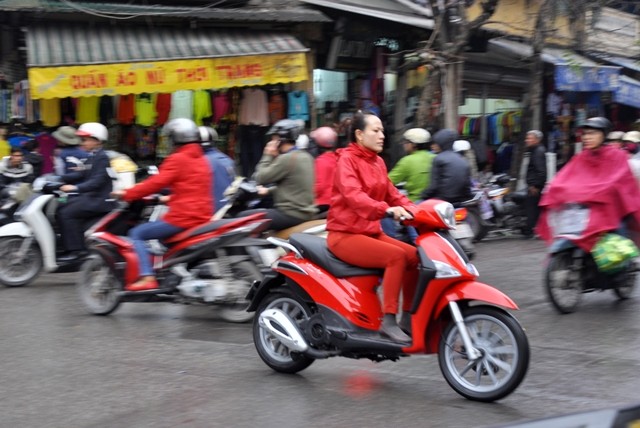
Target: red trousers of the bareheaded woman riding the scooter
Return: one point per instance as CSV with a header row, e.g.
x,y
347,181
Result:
x,y
399,261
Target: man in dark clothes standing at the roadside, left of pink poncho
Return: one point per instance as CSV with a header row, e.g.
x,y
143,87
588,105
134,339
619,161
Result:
x,y
536,178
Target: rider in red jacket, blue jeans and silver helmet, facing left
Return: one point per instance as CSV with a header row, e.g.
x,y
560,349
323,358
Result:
x,y
186,173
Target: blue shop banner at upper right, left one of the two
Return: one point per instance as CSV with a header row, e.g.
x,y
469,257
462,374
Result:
x,y
585,79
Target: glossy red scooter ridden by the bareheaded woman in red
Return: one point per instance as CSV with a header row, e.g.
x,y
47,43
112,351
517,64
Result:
x,y
315,306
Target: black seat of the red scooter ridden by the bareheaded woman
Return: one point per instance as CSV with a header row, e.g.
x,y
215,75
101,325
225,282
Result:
x,y
315,249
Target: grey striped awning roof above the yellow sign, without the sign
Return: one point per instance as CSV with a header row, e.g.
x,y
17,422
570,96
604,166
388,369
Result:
x,y
54,46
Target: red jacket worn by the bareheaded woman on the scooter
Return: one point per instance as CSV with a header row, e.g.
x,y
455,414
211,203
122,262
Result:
x,y
362,192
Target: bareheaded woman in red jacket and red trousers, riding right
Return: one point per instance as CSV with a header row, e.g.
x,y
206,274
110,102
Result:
x,y
363,195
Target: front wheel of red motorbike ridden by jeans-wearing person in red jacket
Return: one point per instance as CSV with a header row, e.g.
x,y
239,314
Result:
x,y
98,286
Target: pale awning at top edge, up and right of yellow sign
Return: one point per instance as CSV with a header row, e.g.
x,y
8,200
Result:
x,y
388,10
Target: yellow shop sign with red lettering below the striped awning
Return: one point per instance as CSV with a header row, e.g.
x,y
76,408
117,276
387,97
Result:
x,y
166,76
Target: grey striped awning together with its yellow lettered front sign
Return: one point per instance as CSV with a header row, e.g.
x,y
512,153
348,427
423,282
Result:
x,y
76,61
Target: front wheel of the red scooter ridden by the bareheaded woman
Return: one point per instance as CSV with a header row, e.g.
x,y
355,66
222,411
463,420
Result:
x,y
504,354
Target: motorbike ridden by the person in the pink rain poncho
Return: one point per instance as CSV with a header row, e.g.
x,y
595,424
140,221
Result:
x,y
571,271
